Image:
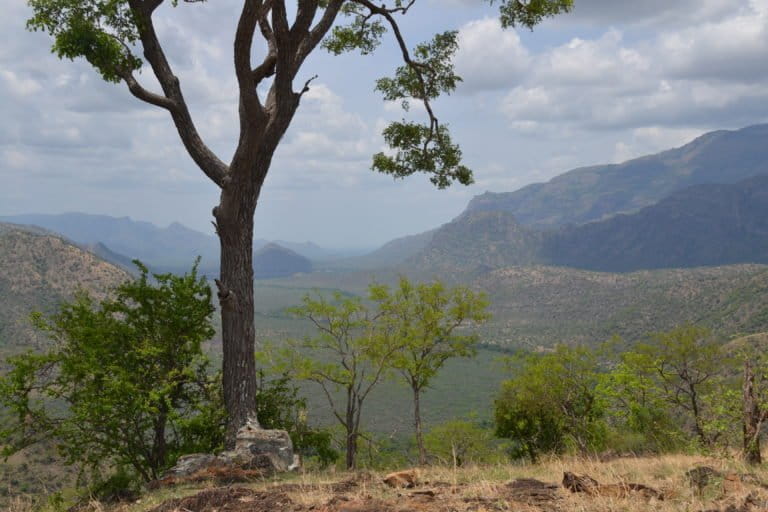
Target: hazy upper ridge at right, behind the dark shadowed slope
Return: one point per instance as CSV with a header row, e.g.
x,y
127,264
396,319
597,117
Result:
x,y
593,193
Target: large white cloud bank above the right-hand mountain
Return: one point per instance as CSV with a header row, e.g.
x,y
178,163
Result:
x,y
701,76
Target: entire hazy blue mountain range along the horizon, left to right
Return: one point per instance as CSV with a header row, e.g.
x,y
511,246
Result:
x,y
700,204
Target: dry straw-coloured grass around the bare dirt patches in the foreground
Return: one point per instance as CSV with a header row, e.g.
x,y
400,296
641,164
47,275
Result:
x,y
481,488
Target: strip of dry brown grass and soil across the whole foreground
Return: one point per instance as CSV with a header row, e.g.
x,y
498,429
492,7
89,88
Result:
x,y
475,489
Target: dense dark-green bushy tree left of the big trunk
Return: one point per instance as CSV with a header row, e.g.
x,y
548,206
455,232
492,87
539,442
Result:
x,y
130,374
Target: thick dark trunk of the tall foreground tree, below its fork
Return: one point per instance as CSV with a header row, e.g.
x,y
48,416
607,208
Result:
x,y
234,217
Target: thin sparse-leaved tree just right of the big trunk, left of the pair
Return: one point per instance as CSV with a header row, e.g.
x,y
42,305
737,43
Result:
x,y
347,358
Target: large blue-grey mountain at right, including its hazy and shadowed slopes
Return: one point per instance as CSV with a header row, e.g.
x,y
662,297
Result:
x,y
704,203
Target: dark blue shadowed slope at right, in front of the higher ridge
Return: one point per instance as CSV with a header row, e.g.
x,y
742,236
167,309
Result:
x,y
701,225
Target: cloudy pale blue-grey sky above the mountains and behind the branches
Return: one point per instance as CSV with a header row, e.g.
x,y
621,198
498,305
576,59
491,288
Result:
x,y
613,80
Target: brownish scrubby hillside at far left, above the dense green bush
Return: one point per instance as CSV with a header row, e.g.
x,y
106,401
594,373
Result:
x,y
37,271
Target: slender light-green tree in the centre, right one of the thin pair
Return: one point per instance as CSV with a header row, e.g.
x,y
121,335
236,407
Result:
x,y
425,319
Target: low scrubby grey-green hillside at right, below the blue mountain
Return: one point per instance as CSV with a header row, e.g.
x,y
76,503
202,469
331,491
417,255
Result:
x,y
539,306
